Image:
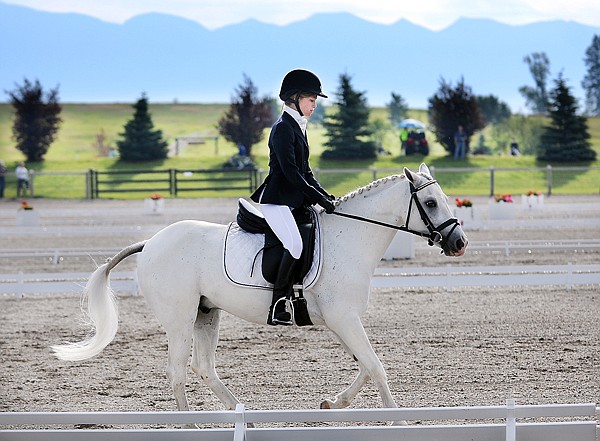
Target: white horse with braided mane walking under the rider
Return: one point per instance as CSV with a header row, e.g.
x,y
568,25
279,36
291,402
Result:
x,y
181,277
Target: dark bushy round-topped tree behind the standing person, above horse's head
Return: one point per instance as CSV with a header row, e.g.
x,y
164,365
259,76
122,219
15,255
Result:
x,y
451,107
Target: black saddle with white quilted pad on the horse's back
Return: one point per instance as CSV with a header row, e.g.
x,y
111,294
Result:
x,y
250,243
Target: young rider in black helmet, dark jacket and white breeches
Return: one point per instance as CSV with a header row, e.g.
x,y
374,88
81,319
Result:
x,y
290,183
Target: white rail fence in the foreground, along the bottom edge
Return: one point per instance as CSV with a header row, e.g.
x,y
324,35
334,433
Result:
x,y
573,422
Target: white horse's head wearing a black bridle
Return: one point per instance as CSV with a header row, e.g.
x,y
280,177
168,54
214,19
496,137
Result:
x,y
429,213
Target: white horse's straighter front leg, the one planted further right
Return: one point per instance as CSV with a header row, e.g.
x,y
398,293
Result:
x,y
351,331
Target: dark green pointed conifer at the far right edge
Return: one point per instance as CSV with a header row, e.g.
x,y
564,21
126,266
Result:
x,y
566,139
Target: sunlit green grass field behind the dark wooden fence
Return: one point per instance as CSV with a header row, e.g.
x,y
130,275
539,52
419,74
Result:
x,y
74,152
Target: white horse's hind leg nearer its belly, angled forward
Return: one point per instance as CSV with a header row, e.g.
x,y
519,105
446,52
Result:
x,y
206,338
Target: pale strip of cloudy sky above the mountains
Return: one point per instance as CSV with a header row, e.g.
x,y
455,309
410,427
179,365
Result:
x,y
431,14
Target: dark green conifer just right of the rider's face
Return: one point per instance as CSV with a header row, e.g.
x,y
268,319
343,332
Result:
x,y
347,129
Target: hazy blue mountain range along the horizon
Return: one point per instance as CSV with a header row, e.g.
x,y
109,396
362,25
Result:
x,y
175,59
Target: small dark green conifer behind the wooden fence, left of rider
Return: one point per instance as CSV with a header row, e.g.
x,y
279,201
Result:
x,y
140,141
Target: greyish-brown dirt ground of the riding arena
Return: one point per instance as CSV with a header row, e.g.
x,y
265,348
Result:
x,y
473,346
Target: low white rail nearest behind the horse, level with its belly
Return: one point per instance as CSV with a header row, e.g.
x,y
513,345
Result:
x,y
449,277
